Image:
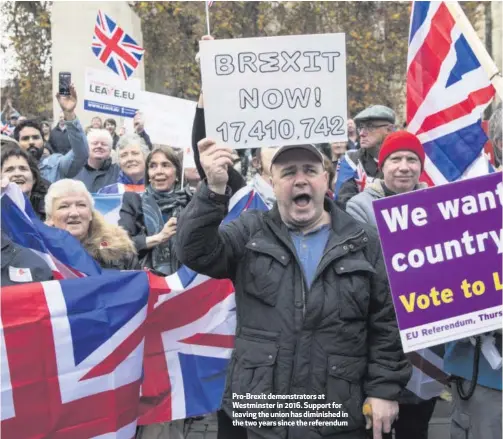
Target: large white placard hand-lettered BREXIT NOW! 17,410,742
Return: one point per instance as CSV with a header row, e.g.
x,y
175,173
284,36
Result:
x,y
275,91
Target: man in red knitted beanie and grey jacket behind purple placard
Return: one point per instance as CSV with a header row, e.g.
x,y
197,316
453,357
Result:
x,y
401,161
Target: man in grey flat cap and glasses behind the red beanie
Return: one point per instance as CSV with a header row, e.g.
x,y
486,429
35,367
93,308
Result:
x,y
373,125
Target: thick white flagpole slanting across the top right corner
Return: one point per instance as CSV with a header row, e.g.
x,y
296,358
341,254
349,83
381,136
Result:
x,y
478,47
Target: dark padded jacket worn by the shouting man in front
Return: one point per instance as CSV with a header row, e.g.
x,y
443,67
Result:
x,y
338,339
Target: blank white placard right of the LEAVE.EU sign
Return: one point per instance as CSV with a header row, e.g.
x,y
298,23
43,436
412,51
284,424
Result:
x,y
168,120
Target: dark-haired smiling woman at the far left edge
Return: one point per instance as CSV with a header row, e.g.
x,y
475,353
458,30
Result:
x,y
21,168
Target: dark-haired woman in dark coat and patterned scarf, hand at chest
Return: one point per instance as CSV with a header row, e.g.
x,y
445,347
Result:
x,y
150,218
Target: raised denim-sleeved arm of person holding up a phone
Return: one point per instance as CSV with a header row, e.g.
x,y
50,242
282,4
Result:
x,y
74,160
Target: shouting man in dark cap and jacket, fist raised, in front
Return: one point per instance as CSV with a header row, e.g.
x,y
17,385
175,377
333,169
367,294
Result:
x,y
314,313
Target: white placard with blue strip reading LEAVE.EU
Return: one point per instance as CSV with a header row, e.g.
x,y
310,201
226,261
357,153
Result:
x,y
107,93
